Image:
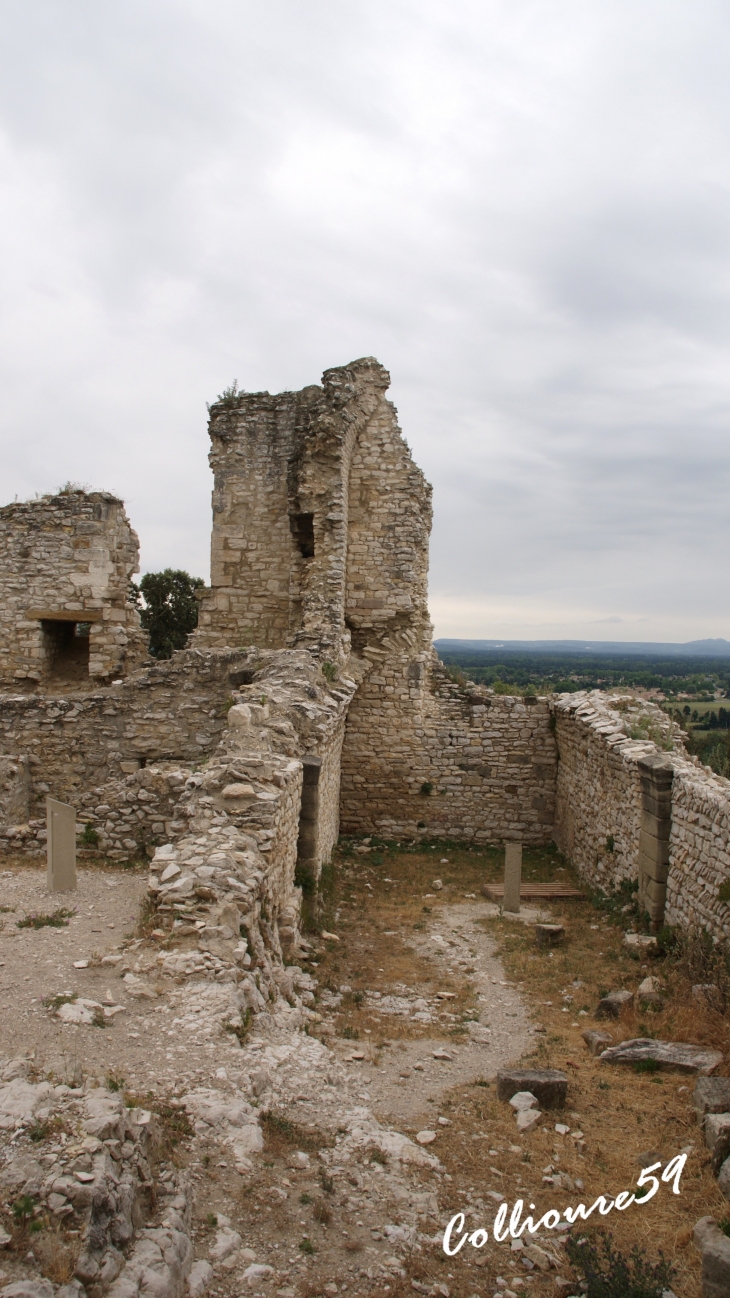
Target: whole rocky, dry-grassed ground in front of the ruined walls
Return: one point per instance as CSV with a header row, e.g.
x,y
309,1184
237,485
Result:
x,y
323,1147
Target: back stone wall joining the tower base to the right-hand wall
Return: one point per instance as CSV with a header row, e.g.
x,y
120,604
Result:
x,y
472,765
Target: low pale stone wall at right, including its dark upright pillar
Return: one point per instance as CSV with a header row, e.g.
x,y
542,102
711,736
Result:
x,y
610,829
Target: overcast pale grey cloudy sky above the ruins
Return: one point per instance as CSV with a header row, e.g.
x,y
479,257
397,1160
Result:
x,y
523,210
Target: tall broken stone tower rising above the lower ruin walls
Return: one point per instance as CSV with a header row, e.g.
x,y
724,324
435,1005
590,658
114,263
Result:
x,y
320,520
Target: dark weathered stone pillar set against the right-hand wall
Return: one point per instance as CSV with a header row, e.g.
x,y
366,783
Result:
x,y
657,774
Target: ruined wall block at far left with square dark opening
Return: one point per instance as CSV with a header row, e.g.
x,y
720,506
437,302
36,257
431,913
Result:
x,y
66,567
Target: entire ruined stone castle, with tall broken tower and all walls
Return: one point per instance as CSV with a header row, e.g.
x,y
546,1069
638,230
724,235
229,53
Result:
x,y
311,700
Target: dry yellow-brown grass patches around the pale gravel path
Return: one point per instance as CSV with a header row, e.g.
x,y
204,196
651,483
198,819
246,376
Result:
x,y
623,1114
